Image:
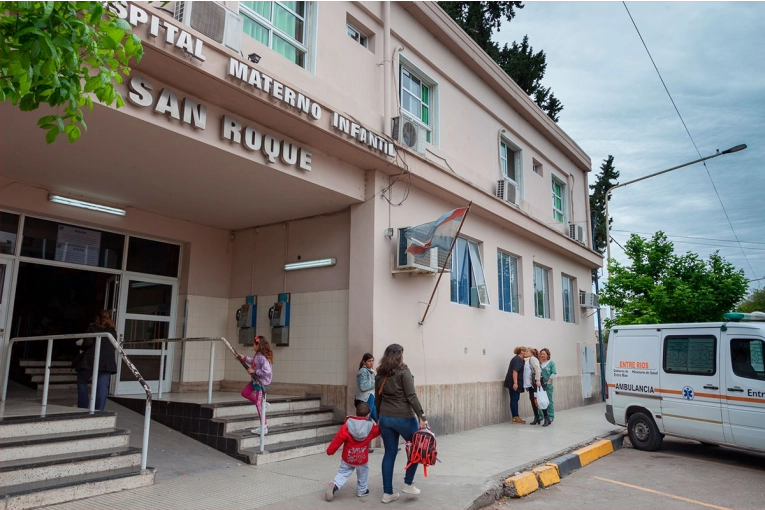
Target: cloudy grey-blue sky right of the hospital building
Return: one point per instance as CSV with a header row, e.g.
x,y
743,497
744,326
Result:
x,y
711,56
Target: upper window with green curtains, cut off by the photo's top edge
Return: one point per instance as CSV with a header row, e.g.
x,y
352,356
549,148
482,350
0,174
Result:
x,y
280,25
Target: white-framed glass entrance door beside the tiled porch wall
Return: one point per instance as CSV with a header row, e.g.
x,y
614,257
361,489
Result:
x,y
147,306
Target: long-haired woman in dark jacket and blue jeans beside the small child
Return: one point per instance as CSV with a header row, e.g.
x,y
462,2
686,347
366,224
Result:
x,y
400,413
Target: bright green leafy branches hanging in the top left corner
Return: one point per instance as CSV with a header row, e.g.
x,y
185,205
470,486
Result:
x,y
63,54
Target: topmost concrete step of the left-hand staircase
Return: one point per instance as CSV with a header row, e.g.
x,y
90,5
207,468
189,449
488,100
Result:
x,y
28,426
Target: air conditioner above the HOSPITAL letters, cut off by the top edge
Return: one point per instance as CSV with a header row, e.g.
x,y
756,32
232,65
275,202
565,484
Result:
x,y
213,20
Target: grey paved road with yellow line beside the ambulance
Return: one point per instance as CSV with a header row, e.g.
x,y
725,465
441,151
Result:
x,y
681,475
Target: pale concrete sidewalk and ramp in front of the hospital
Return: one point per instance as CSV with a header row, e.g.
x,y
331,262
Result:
x,y
471,464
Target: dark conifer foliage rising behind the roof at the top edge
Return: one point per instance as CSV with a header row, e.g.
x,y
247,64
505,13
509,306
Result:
x,y
479,19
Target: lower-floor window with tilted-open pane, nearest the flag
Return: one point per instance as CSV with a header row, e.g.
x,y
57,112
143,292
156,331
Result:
x,y
468,281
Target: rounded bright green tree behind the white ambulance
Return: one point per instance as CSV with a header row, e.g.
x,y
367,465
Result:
x,y
662,287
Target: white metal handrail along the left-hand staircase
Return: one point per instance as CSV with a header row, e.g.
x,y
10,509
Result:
x,y
94,383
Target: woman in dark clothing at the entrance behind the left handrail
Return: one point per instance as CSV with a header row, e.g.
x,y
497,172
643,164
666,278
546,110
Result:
x,y
107,363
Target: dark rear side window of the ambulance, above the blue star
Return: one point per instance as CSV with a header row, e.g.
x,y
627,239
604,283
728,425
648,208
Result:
x,y
692,355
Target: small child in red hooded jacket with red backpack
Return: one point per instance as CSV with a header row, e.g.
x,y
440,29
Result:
x,y
356,433
